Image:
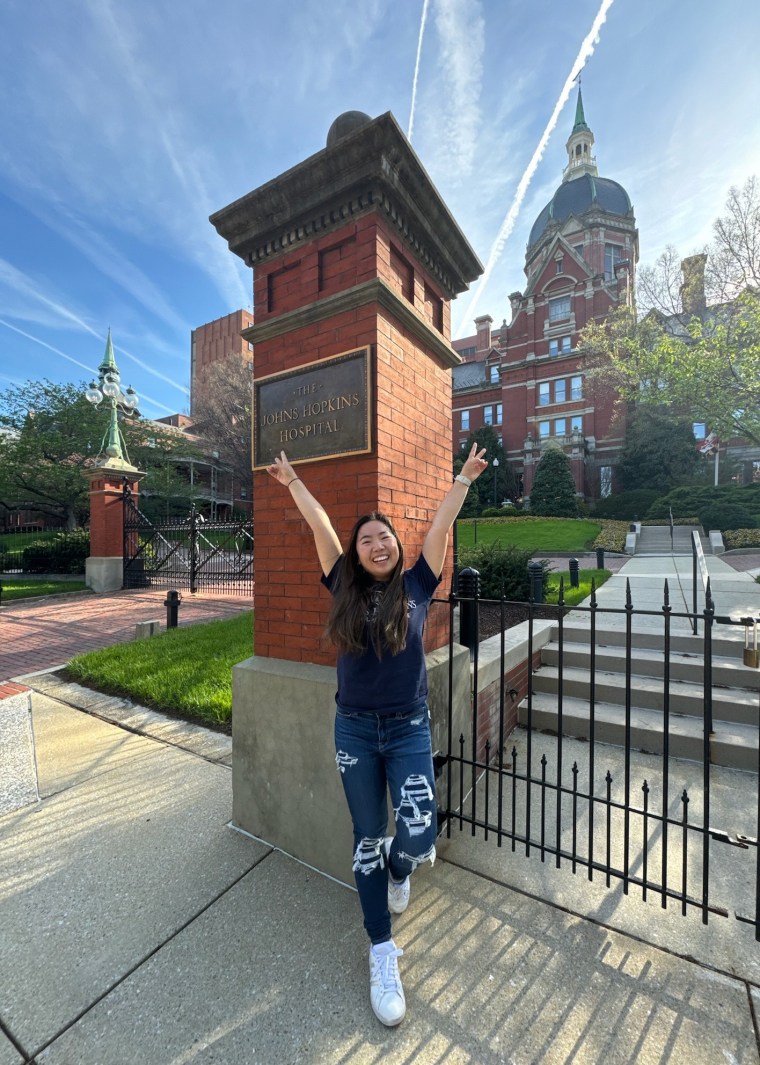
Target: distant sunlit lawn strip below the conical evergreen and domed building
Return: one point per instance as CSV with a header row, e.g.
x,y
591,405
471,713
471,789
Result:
x,y
532,534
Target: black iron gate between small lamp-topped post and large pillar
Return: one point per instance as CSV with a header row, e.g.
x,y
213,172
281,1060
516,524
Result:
x,y
190,553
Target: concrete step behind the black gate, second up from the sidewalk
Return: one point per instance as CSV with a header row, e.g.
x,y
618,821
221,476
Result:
x,y
686,698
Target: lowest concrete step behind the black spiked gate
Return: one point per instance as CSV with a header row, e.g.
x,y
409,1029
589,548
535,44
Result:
x,y
732,745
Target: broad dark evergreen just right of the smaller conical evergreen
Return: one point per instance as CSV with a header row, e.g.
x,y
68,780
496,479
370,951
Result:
x,y
659,451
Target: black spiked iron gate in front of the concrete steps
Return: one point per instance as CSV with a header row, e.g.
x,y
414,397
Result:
x,y
650,833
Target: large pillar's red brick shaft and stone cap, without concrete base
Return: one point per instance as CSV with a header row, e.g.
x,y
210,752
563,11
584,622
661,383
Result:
x,y
352,249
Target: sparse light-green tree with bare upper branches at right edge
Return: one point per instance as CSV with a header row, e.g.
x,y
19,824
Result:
x,y
704,367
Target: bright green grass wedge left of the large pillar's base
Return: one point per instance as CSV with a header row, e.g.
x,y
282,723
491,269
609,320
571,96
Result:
x,y
186,671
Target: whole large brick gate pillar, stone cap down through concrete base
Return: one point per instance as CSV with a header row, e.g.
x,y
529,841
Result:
x,y
352,250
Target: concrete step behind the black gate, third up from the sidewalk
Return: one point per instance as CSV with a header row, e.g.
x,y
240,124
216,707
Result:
x,y
646,662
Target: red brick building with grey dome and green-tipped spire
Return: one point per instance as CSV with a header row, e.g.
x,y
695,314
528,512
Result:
x,y
526,379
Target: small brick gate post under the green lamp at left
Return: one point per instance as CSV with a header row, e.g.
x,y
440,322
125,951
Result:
x,y
105,568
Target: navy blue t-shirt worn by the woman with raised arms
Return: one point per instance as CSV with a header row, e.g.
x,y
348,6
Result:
x,y
394,683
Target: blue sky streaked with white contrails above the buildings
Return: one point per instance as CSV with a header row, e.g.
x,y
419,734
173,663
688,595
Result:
x,y
125,126
